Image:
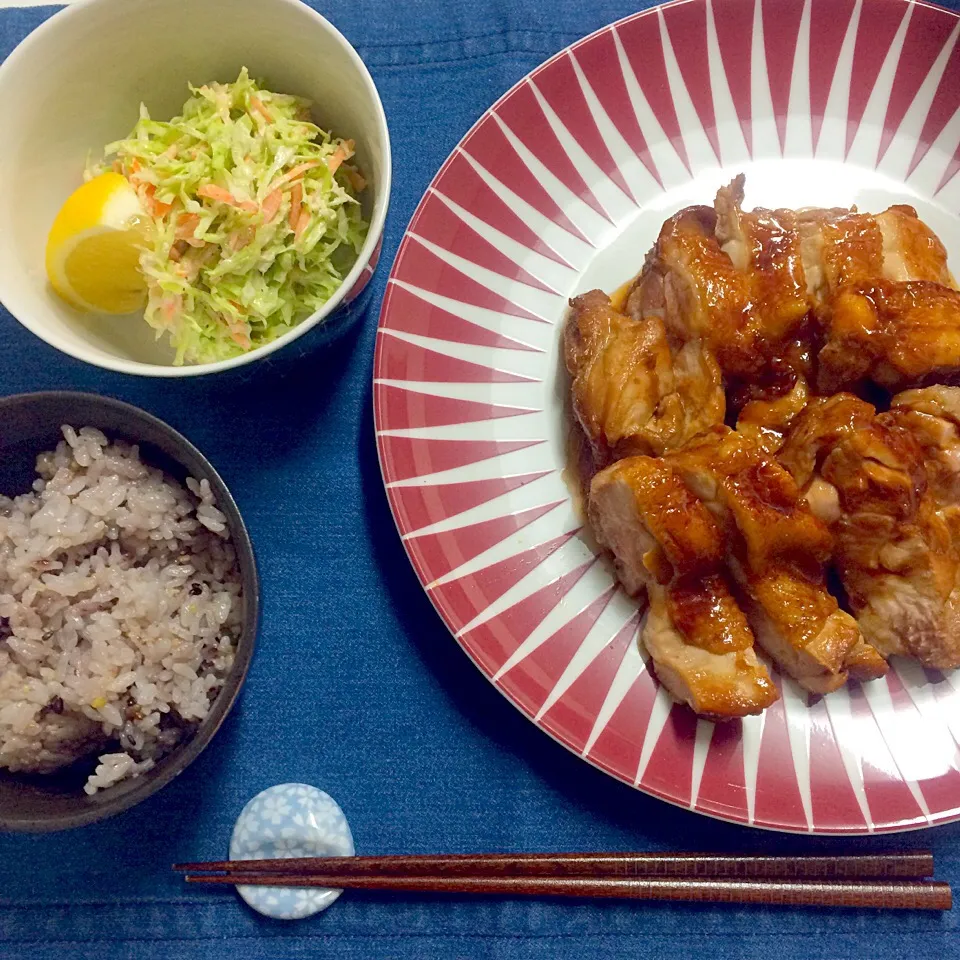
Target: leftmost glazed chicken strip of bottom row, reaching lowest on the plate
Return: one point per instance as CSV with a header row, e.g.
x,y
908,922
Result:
x,y
664,539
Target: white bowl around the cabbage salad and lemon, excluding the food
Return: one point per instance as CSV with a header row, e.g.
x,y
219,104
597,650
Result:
x,y
76,84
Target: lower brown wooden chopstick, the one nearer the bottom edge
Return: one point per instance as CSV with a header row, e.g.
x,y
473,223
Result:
x,y
891,895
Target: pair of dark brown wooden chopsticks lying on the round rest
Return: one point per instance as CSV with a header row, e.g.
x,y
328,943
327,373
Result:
x,y
891,881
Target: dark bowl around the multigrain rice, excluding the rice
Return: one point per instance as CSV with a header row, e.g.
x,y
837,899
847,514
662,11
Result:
x,y
141,427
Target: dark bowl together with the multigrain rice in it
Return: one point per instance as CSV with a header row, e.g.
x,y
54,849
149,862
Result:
x,y
129,603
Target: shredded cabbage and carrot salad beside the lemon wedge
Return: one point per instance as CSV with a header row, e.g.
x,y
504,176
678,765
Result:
x,y
252,217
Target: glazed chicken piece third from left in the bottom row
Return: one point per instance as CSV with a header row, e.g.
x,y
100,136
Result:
x,y
864,474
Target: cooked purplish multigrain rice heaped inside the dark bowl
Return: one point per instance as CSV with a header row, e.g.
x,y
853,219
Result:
x,y
119,611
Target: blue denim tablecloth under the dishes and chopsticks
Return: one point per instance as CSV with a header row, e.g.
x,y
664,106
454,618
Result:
x,y
356,686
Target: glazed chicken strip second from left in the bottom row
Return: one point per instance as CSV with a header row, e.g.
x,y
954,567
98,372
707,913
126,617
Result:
x,y
777,552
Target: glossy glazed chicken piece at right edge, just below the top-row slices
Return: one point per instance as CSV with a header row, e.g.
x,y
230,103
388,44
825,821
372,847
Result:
x,y
892,333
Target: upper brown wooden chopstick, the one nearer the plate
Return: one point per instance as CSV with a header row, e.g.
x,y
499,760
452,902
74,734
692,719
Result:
x,y
912,864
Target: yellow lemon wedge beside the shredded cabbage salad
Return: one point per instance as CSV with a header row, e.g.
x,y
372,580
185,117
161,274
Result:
x,y
93,250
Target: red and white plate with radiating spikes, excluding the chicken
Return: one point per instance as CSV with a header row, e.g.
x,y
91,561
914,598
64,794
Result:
x,y
561,187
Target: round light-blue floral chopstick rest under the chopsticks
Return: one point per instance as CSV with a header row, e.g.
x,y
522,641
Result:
x,y
290,820
